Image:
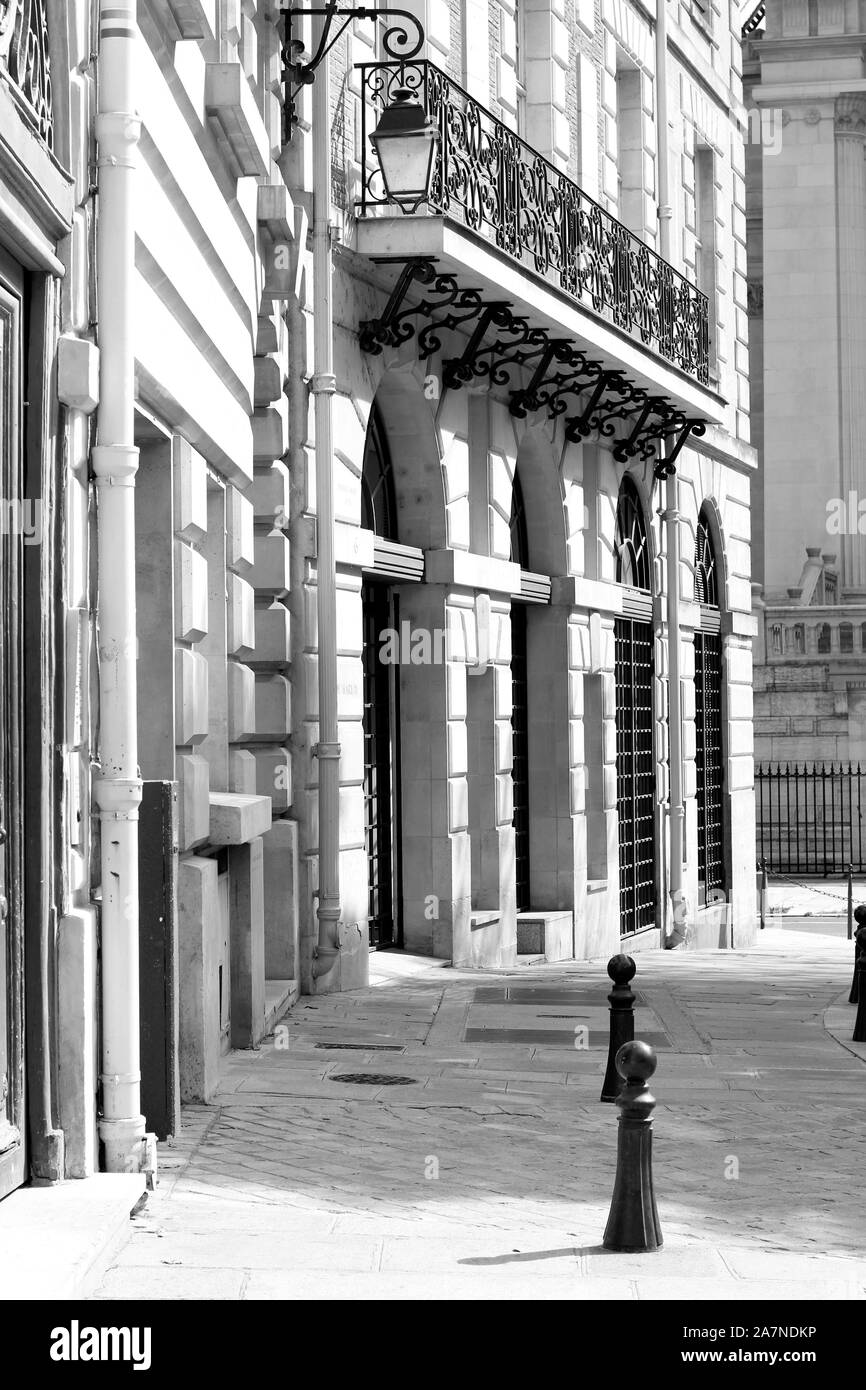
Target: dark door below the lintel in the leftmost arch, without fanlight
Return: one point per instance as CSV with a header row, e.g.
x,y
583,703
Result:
x,y
382,769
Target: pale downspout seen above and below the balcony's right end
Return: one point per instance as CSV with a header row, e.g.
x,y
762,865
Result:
x,y
671,516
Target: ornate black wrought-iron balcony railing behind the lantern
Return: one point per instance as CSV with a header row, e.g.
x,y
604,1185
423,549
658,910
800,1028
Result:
x,y
500,188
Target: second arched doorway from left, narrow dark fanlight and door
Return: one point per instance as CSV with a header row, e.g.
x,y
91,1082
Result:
x,y
521,708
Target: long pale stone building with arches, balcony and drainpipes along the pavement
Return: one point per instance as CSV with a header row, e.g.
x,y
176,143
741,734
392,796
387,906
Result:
x,y
380,550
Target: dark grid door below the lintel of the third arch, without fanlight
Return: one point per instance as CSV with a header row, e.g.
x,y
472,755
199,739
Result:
x,y
636,776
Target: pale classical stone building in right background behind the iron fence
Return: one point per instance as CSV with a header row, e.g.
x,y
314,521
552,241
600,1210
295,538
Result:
x,y
806,73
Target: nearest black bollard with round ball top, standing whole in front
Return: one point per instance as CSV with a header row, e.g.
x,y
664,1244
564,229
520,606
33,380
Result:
x,y
635,1223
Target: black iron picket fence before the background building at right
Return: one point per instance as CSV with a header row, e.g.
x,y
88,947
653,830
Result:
x,y
811,818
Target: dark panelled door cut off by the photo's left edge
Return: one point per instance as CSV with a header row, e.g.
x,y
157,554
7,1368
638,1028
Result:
x,y
13,1153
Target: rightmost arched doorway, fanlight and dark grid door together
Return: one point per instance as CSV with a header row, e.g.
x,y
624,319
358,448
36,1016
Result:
x,y
710,754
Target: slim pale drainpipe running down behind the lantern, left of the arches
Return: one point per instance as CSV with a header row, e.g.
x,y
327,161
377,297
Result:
x,y
325,387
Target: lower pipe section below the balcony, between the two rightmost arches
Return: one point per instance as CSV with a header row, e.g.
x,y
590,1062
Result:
x,y
679,904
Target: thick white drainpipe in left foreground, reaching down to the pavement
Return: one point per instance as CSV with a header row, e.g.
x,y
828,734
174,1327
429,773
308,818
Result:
x,y
117,789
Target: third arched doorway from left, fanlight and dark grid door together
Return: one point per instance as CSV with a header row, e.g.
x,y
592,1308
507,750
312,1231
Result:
x,y
635,719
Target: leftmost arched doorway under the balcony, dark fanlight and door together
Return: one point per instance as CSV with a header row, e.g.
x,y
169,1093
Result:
x,y
382,703
